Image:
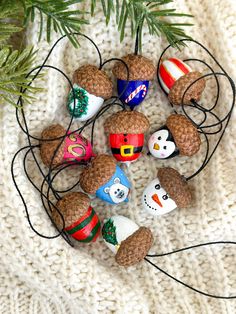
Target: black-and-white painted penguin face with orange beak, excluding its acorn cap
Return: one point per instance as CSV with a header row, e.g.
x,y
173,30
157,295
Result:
x,y
161,144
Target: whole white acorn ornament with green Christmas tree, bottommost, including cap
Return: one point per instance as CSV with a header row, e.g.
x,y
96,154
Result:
x,y
127,240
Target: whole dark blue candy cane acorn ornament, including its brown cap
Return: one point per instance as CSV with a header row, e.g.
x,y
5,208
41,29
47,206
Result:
x,y
141,71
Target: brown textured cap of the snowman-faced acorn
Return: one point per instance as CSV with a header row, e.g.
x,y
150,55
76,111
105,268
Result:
x,y
175,185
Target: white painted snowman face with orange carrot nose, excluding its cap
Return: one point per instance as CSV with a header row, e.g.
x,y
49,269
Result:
x,y
156,200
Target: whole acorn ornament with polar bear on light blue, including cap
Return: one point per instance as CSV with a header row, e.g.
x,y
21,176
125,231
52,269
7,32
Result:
x,y
105,179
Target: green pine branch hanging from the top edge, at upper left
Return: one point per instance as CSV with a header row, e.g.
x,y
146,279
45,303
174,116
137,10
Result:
x,y
56,15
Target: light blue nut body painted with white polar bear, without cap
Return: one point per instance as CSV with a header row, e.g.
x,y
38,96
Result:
x,y
116,190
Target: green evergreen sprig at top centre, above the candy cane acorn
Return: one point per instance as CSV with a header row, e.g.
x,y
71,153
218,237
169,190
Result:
x,y
140,12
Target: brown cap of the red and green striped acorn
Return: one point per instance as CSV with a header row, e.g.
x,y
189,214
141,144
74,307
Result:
x,y
72,206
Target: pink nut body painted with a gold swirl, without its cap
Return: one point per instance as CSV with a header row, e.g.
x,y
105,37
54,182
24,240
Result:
x,y
77,148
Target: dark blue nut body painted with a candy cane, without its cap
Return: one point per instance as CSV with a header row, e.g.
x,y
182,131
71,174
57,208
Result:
x,y
133,92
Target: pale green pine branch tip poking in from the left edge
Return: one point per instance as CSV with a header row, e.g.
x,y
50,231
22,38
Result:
x,y
14,66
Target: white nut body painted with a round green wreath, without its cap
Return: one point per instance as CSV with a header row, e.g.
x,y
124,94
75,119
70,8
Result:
x,y
85,106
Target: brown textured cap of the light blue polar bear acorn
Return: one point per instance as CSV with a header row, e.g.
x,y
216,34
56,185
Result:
x,y
98,173
